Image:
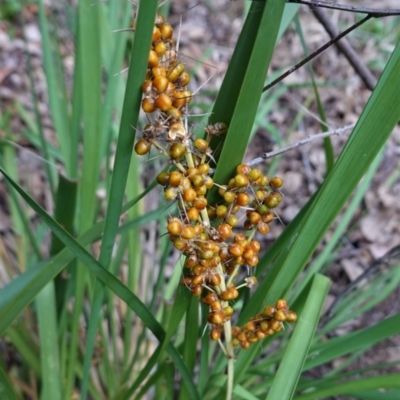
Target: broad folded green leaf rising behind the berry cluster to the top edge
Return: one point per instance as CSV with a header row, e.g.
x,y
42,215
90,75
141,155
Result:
x,y
240,93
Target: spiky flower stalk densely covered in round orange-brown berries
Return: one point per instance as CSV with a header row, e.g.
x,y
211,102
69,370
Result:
x,y
217,238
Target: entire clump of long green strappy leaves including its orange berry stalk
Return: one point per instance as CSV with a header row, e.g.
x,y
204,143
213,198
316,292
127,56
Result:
x,y
90,317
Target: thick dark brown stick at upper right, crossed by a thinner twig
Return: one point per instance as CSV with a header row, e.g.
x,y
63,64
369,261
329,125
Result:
x,y
345,47
